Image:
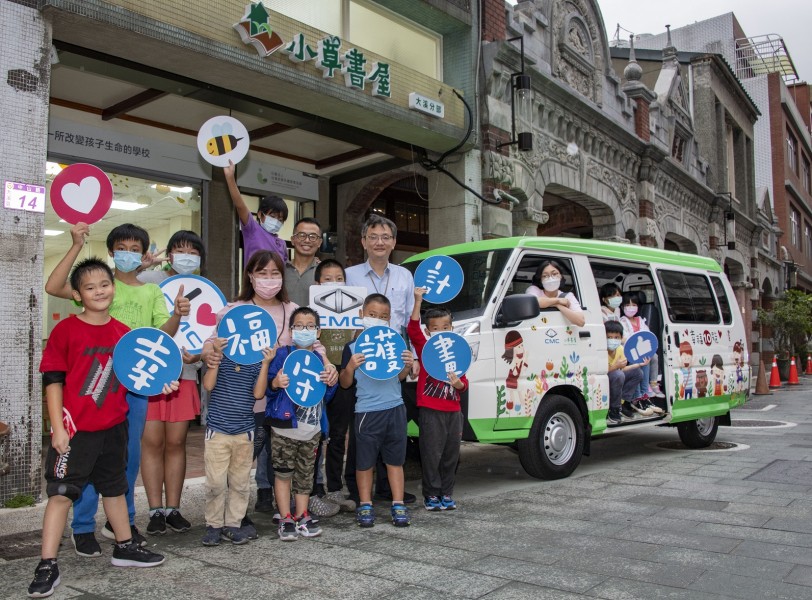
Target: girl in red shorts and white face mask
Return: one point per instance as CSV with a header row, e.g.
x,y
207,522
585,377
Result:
x,y
163,444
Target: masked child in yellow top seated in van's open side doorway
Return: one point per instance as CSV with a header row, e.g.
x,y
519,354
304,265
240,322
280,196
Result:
x,y
624,378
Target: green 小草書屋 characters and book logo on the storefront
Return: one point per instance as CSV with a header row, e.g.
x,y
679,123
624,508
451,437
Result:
x,y
255,28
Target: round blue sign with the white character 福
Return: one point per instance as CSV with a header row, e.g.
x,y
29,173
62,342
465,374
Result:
x,y
248,329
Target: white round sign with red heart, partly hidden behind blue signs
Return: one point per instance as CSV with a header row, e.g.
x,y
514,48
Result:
x,y
206,301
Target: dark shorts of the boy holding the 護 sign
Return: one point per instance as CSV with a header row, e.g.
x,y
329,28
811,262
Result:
x,y
384,432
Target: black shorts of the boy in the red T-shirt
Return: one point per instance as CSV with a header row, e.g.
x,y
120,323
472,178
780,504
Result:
x,y
97,457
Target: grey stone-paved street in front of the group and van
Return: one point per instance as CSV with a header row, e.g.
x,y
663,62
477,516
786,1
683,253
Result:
x,y
633,522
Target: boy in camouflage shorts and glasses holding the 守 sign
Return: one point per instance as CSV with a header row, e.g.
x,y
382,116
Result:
x,y
296,430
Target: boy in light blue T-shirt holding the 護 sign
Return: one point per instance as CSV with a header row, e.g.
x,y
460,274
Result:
x,y
380,419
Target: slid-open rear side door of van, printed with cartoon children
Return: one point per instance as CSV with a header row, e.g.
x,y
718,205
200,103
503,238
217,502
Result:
x,y
698,353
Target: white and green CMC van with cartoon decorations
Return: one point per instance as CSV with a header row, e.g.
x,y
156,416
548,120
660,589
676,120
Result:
x,y
562,397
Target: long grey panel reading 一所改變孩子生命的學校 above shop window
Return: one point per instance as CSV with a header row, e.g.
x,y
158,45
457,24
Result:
x,y
97,145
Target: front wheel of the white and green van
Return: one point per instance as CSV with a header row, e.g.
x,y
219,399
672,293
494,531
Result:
x,y
556,442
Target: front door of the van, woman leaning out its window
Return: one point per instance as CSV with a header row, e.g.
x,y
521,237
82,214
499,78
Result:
x,y
532,357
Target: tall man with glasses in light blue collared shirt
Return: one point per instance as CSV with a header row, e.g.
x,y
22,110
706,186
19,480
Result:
x,y
378,275
